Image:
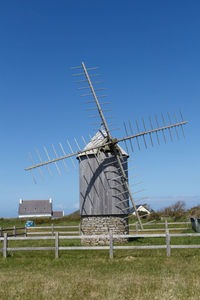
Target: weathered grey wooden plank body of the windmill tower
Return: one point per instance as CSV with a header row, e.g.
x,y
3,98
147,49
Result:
x,y
101,189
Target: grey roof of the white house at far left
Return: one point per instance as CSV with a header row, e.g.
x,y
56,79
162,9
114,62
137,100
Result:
x,y
35,207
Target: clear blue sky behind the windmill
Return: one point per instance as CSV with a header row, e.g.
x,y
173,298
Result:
x,y
149,57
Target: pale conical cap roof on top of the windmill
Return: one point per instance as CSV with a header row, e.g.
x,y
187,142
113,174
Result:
x,y
99,139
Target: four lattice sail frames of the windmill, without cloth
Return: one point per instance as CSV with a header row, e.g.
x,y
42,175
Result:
x,y
109,142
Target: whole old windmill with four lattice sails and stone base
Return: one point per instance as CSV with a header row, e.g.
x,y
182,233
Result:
x,y
103,168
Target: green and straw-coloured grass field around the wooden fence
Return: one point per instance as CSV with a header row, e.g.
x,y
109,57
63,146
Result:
x,y
132,274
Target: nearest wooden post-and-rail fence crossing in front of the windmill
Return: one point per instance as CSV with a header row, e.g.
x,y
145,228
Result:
x,y
110,237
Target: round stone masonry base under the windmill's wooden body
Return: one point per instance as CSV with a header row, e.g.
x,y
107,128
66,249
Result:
x,y
99,225
